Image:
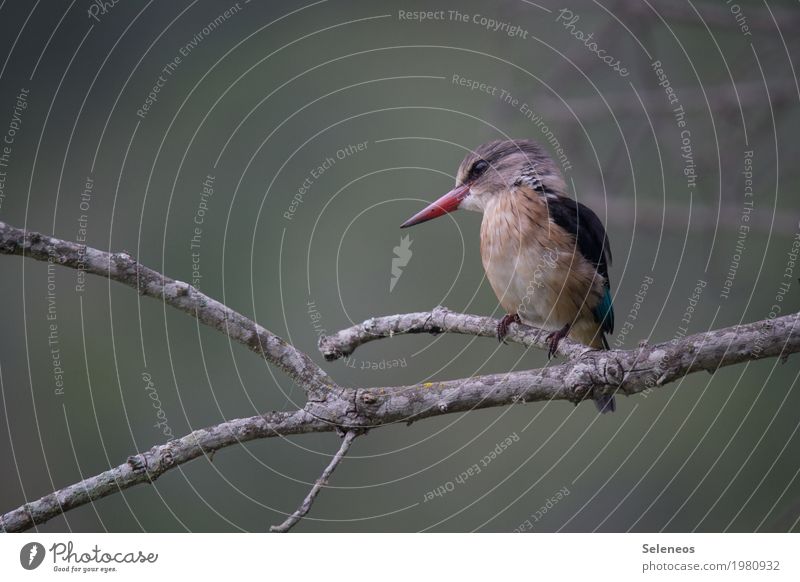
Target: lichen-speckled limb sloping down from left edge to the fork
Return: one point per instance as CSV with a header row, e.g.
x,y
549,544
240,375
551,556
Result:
x,y
123,268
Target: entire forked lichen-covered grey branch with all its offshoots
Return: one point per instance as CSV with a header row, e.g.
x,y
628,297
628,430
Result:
x,y
352,411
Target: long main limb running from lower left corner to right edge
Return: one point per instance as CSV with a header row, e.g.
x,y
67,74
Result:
x,y
592,372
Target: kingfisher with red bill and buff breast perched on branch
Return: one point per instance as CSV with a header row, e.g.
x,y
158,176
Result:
x,y
546,255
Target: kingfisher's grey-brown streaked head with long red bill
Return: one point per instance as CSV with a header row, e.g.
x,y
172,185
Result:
x,y
494,169
